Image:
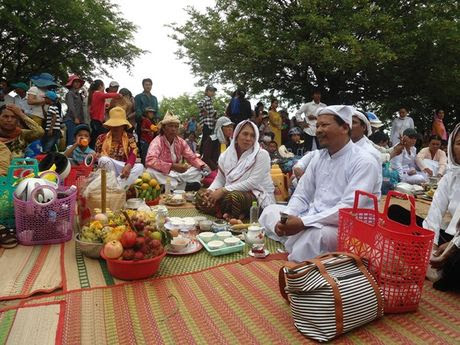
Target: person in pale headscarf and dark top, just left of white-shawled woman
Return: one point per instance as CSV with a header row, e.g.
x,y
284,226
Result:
x,y
215,145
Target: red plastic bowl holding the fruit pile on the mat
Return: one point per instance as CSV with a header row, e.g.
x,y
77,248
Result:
x,y
132,270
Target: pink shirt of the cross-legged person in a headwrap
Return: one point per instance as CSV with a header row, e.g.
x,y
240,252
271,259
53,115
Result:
x,y
159,154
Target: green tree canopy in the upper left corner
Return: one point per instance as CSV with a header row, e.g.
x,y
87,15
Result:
x,y
63,36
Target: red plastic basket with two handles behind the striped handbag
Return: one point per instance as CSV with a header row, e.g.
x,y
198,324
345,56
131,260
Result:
x,y
397,255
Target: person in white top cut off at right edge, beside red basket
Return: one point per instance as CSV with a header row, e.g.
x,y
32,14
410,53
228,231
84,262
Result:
x,y
446,199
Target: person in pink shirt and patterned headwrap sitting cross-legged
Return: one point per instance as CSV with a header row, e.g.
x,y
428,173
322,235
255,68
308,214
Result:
x,y
165,154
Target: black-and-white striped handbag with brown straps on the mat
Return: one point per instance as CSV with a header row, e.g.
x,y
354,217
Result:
x,y
330,295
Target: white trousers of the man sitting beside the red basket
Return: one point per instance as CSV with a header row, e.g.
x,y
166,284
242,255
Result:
x,y
304,245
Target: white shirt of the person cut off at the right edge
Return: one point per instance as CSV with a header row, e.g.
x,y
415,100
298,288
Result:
x,y
446,198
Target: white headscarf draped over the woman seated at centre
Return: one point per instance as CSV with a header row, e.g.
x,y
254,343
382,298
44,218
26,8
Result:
x,y
232,167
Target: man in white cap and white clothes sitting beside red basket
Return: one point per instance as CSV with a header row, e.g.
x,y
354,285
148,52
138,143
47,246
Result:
x,y
329,184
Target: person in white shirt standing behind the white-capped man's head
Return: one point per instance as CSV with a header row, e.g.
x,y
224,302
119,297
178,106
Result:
x,y
306,119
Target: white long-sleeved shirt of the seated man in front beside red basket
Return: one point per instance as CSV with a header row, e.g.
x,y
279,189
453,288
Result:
x,y
330,182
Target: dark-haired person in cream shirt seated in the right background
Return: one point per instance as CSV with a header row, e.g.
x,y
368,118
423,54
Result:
x,y
432,160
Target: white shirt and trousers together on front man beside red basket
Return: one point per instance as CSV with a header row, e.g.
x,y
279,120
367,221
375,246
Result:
x,y
329,184
